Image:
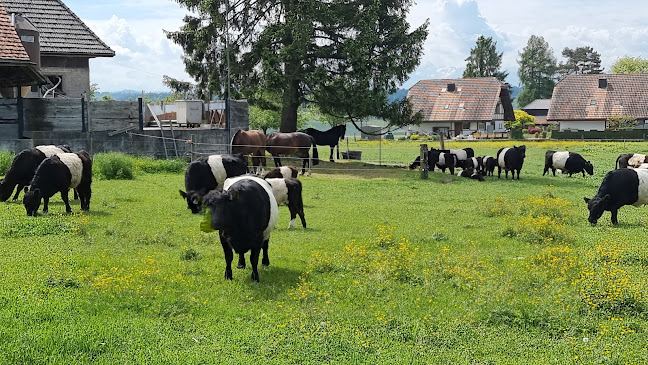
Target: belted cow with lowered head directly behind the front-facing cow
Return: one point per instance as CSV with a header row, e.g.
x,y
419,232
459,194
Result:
x,y
209,173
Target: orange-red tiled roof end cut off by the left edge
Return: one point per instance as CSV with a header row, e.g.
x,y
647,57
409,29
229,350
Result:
x,y
16,69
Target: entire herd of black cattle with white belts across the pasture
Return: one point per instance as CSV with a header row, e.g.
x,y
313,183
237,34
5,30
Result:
x,y
244,207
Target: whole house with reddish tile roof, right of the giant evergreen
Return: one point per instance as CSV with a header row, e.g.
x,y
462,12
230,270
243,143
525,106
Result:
x,y
462,107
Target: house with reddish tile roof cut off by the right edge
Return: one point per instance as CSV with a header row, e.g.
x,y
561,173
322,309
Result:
x,y
585,102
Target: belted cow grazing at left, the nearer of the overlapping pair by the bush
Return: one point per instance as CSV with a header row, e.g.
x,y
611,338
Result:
x,y
60,173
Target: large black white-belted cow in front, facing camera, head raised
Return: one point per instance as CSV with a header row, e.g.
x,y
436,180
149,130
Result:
x,y
244,213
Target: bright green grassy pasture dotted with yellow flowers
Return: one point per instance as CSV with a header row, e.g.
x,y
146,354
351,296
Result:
x,y
392,269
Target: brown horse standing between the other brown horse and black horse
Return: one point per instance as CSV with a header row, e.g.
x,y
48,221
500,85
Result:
x,y
279,143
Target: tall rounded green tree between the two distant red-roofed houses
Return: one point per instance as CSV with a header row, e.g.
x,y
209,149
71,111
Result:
x,y
537,71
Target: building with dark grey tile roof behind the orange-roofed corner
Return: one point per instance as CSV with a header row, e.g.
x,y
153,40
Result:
x,y
59,42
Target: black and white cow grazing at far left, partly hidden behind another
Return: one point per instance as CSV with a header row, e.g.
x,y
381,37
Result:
x,y
23,167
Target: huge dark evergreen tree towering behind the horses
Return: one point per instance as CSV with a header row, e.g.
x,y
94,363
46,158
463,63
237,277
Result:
x,y
345,56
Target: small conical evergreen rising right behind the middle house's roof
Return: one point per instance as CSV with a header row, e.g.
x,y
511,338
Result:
x,y
484,60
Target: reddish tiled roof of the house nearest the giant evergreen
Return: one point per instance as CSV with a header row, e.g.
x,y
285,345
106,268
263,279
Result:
x,y
474,99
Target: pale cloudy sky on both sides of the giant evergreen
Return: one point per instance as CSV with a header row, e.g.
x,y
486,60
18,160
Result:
x,y
135,31
